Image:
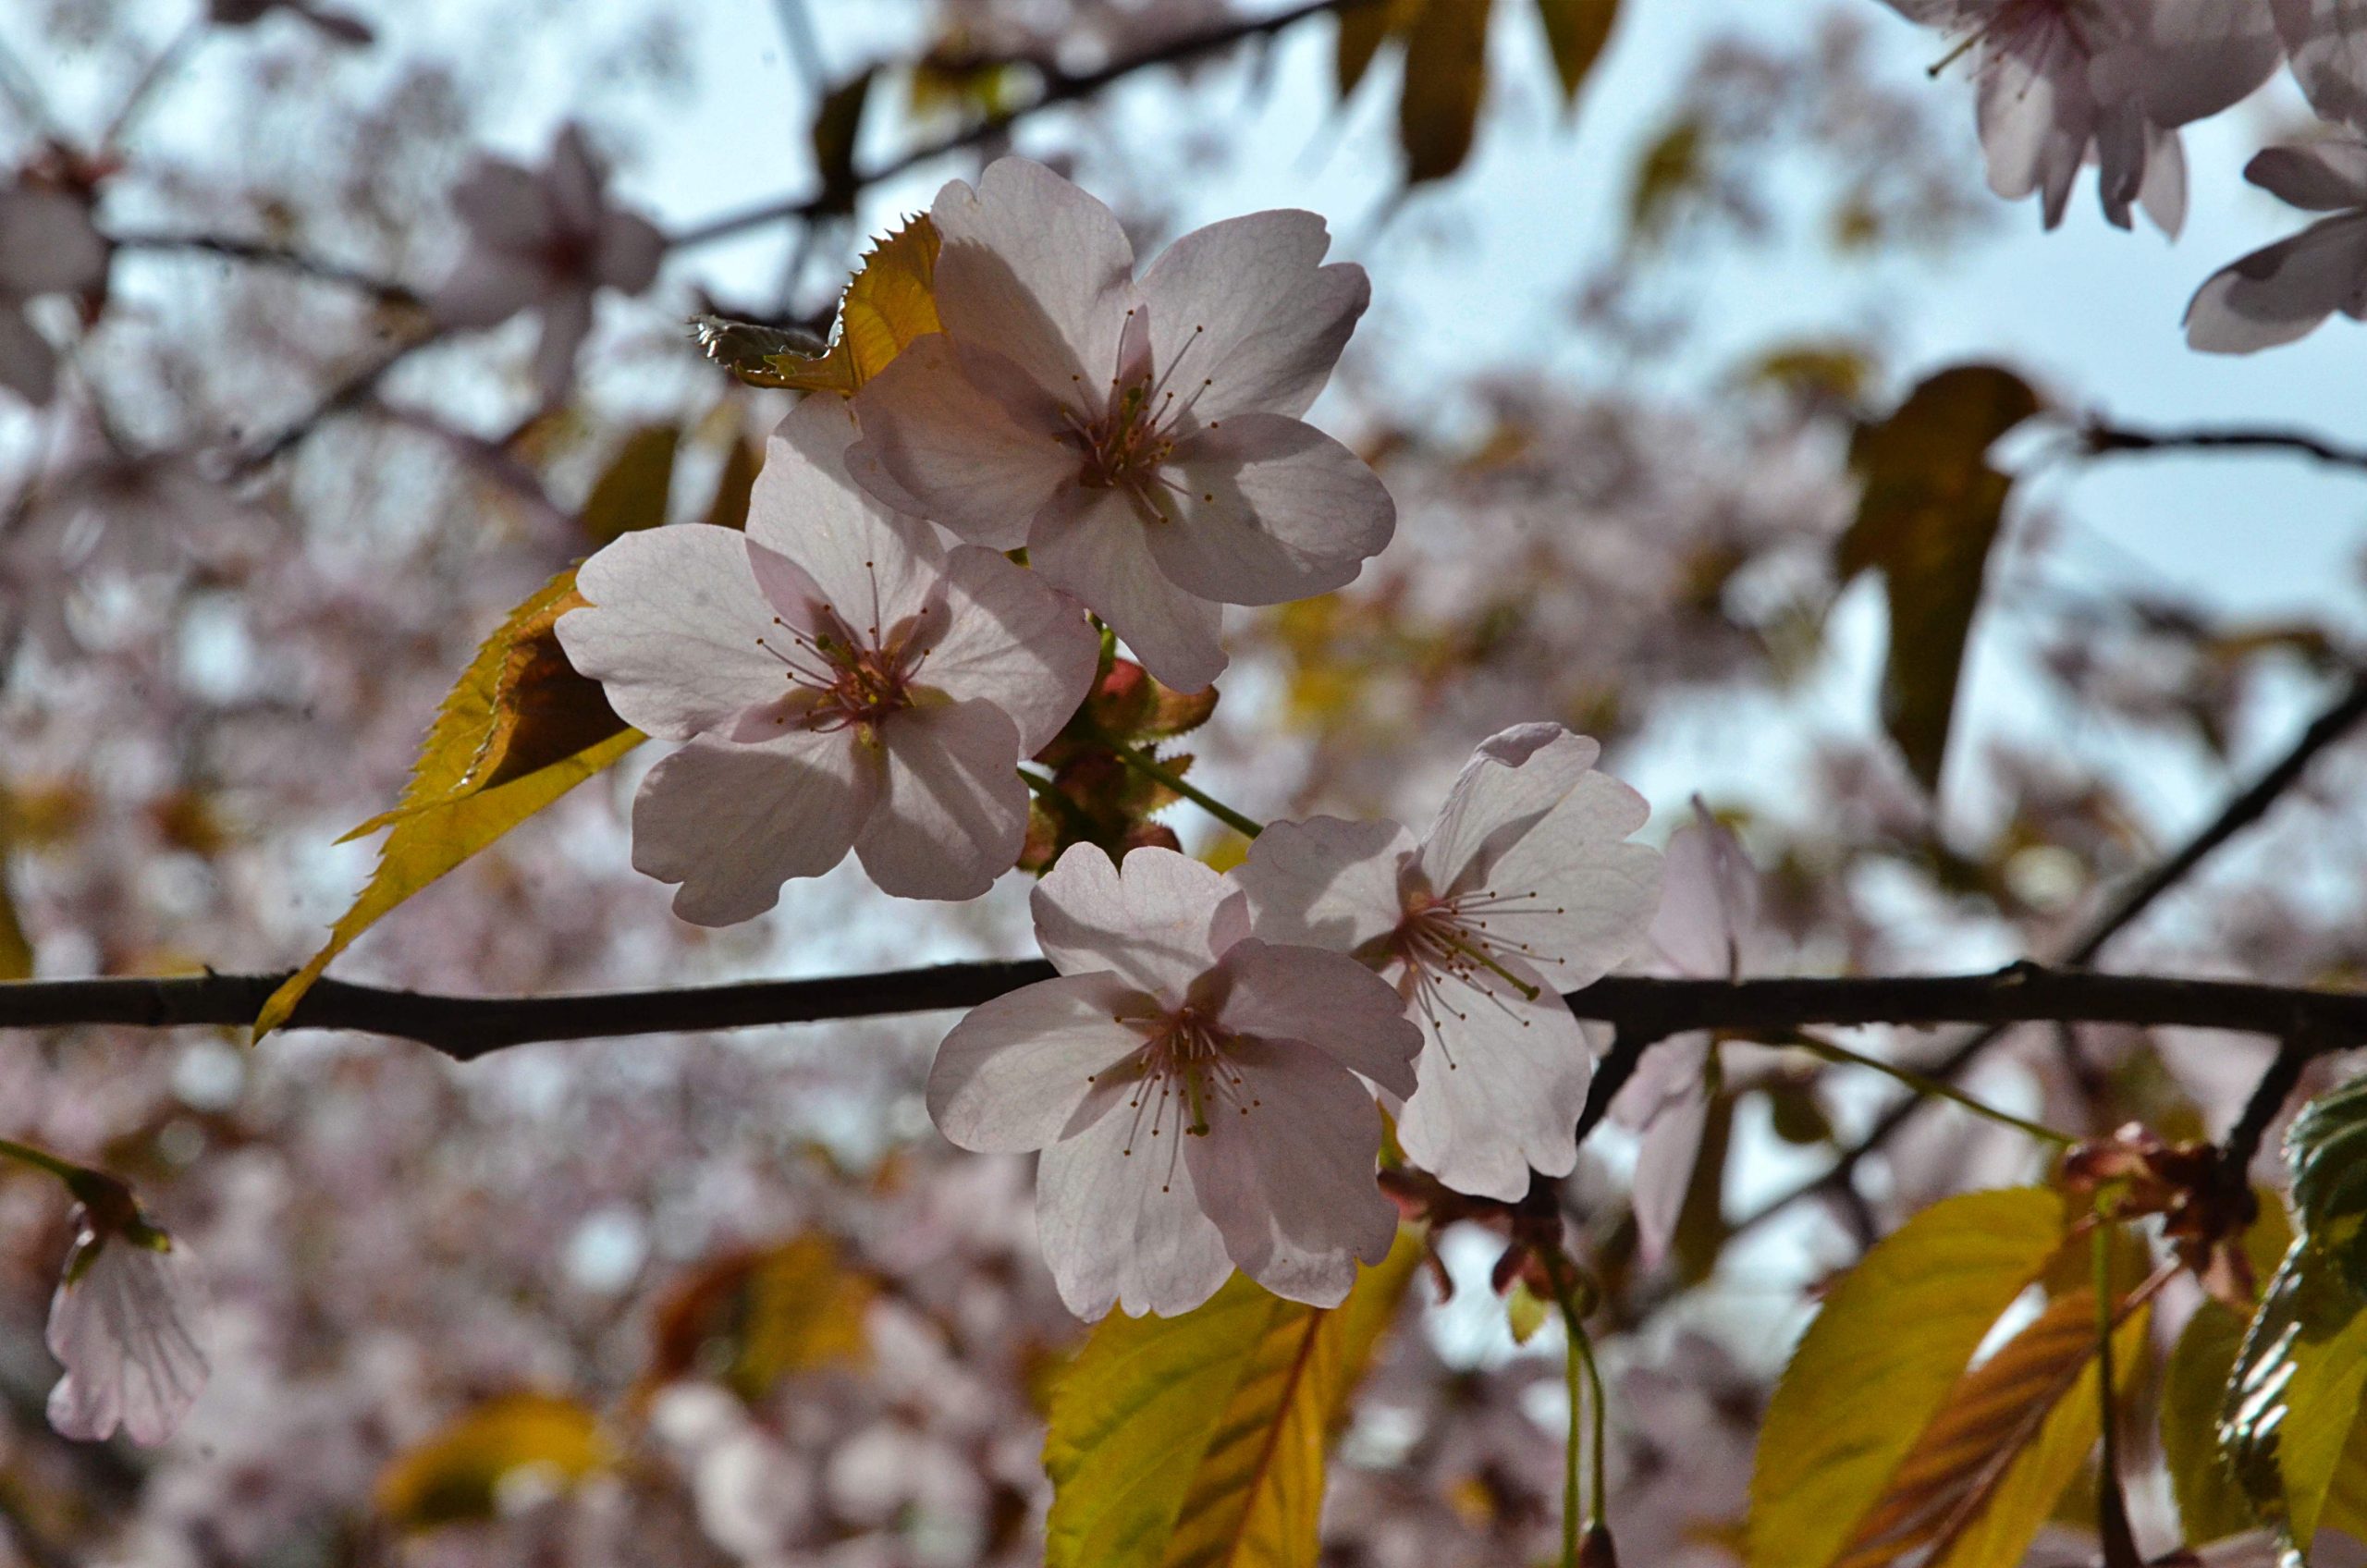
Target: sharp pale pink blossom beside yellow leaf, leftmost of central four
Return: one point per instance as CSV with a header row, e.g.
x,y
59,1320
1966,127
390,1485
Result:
x,y
844,679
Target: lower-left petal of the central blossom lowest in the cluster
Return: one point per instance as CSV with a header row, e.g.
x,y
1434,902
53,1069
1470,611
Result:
x,y
1121,1221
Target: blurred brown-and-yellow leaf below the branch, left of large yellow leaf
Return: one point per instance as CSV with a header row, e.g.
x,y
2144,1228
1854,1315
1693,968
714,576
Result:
x,y
763,1316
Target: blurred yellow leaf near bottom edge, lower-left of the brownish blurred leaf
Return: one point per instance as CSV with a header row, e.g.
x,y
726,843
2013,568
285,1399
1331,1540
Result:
x,y
508,1441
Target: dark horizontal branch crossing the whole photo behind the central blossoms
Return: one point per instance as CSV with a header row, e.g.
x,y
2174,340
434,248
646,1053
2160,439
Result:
x,y
1639,1005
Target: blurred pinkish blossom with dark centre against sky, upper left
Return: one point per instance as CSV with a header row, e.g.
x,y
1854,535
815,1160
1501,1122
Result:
x,y
546,243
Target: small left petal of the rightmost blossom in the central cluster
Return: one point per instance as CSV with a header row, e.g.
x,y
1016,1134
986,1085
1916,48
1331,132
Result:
x,y
1327,882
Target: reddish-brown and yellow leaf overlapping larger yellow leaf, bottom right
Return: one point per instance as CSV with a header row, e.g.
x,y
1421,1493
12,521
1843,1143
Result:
x,y
1987,1472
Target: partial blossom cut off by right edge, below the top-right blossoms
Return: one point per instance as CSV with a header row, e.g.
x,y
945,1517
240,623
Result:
x,y
2285,290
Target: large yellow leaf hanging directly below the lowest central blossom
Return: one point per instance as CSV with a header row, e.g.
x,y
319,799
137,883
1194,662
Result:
x,y
1199,1441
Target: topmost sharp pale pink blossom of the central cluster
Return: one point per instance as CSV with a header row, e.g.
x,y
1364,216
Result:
x,y
1142,439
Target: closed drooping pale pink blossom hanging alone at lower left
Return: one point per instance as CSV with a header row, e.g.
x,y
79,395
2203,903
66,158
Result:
x,y
124,1323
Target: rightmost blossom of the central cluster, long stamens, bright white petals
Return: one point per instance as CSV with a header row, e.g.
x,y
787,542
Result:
x,y
1521,892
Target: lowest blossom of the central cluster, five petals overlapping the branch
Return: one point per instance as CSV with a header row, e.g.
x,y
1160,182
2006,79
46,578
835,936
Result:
x,y
1194,1091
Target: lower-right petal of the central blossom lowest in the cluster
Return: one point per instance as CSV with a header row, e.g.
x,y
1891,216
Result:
x,y
1286,1171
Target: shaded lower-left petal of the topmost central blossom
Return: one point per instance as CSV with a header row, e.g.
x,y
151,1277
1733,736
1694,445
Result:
x,y
941,442
